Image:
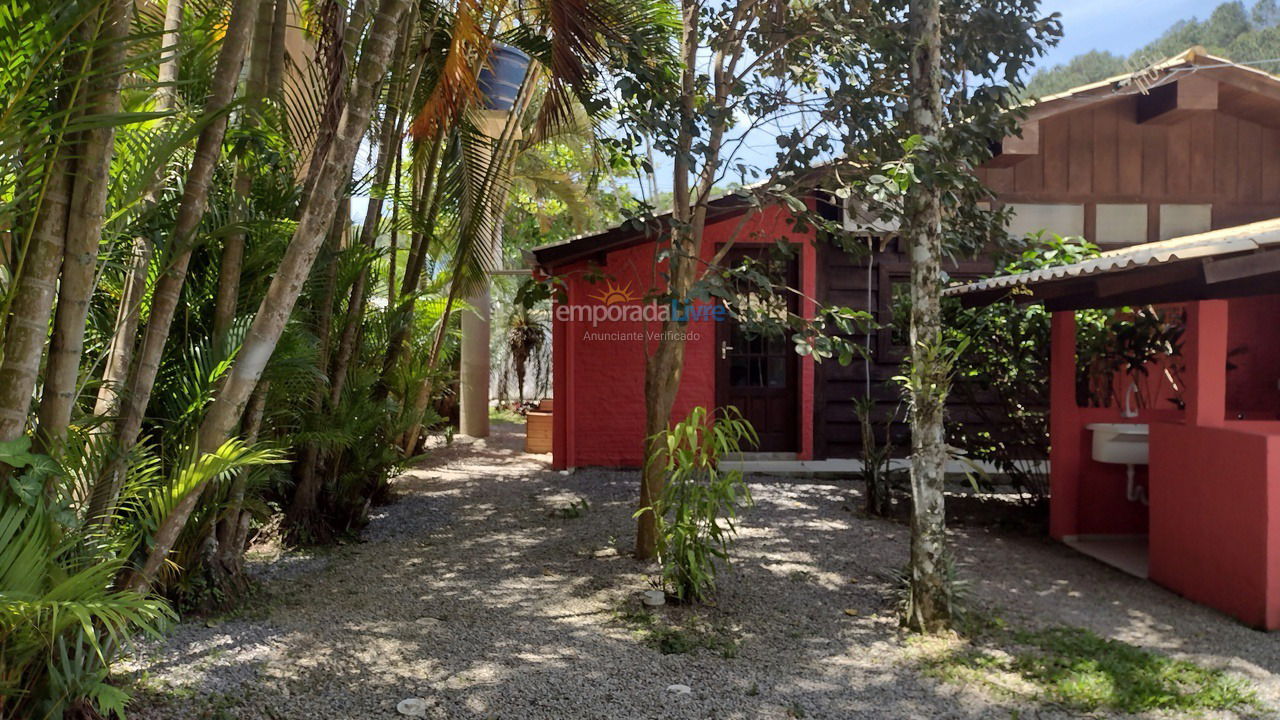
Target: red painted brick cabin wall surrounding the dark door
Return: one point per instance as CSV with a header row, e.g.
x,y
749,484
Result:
x,y
600,371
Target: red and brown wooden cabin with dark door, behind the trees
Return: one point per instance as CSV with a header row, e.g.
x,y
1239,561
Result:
x,y
1190,145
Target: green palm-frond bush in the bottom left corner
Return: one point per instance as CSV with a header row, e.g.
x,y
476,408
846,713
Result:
x,y
63,618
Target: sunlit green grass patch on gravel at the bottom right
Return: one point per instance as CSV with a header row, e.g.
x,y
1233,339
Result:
x,y
1080,671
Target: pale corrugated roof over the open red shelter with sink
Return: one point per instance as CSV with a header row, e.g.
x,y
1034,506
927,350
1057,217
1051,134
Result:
x,y
1227,241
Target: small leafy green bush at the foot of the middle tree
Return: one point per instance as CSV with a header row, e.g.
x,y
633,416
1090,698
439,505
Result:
x,y
698,507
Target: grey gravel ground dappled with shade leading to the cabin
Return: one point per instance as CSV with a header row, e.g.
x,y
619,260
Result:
x,y
473,594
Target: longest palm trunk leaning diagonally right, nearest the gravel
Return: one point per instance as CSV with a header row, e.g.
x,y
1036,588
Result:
x,y
291,276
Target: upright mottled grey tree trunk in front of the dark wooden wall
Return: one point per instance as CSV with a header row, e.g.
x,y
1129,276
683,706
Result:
x,y
930,608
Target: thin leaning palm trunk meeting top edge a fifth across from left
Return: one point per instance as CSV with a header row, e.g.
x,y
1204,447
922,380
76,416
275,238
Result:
x,y
191,211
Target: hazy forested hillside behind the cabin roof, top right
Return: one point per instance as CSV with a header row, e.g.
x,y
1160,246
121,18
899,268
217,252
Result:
x,y
1236,31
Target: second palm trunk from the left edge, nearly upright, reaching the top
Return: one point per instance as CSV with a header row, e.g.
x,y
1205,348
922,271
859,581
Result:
x,y
84,233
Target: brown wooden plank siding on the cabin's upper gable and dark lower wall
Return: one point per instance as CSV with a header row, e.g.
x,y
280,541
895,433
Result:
x,y
1094,156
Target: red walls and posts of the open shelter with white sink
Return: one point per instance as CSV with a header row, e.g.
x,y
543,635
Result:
x,y
1214,481
